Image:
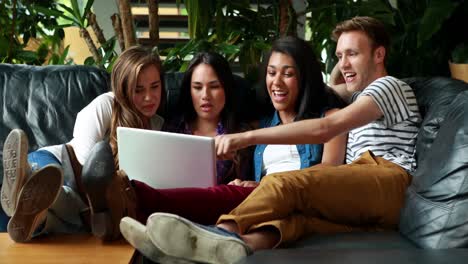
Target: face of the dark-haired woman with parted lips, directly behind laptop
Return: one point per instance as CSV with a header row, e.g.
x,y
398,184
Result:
x,y
207,93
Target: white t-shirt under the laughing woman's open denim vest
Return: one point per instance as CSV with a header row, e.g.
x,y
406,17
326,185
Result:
x,y
279,158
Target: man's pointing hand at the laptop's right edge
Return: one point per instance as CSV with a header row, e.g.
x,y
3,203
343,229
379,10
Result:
x,y
227,145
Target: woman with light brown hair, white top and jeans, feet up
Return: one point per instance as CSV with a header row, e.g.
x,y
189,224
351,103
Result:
x,y
58,205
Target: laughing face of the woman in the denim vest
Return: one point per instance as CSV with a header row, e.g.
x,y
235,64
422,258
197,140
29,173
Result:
x,y
282,84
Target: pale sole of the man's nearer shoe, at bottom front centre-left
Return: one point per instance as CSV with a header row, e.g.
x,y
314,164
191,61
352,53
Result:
x,y
178,237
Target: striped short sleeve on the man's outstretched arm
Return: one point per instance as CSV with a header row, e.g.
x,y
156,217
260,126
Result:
x,y
390,96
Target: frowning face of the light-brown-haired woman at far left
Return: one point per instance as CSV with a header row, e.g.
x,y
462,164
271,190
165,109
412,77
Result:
x,y
147,94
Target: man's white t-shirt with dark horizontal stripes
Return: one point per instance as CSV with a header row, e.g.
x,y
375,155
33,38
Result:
x,y
393,136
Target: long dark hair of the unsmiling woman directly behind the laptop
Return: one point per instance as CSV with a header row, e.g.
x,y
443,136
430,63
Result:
x,y
224,73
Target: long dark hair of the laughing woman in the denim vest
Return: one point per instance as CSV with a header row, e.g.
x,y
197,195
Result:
x,y
314,96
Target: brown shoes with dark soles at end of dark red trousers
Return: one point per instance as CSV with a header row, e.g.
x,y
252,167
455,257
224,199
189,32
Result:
x,y
110,194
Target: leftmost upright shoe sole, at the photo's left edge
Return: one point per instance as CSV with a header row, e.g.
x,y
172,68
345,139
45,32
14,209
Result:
x,y
15,161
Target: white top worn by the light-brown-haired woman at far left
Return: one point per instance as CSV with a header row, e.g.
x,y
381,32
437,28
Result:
x,y
93,125
